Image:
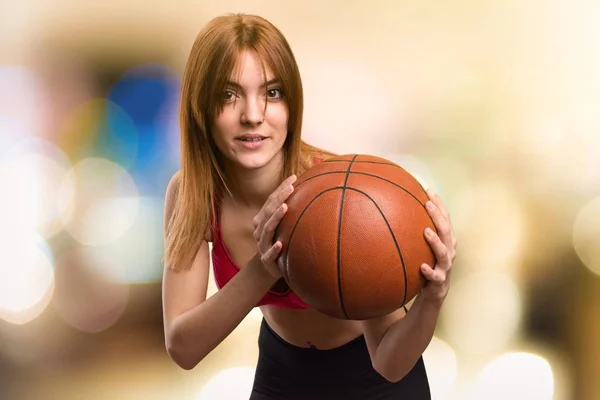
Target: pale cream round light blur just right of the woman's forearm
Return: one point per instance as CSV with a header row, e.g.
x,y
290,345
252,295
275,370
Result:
x,y
482,312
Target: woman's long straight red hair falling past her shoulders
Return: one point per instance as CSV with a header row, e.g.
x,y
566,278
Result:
x,y
212,59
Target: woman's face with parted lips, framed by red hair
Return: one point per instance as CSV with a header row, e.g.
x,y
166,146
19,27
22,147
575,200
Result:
x,y
248,134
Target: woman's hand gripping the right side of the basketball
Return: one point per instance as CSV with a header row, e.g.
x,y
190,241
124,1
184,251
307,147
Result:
x,y
443,245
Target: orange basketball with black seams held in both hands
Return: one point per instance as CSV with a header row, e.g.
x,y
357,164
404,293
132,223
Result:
x,y
353,237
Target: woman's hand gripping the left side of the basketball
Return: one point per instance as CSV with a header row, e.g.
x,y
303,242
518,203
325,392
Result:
x,y
265,223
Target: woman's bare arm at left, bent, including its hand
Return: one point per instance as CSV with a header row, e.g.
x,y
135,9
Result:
x,y
194,325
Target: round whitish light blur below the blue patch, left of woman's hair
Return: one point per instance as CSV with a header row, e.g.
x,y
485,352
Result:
x,y
98,201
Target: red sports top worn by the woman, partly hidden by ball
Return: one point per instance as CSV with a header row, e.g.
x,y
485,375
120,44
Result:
x,y
225,269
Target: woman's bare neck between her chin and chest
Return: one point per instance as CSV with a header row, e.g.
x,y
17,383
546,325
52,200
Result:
x,y
251,187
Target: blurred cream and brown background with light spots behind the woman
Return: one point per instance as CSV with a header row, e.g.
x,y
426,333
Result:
x,y
494,104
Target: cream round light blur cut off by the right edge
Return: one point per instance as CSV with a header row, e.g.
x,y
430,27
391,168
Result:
x,y
586,235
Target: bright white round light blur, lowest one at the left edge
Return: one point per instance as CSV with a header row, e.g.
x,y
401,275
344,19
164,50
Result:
x,y
26,276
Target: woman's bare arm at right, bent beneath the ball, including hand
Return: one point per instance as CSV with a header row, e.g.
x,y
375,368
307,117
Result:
x,y
396,341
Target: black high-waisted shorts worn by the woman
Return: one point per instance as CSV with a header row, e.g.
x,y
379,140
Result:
x,y
285,371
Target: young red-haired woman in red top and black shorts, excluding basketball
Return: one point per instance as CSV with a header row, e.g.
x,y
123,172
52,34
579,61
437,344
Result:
x,y
241,119
